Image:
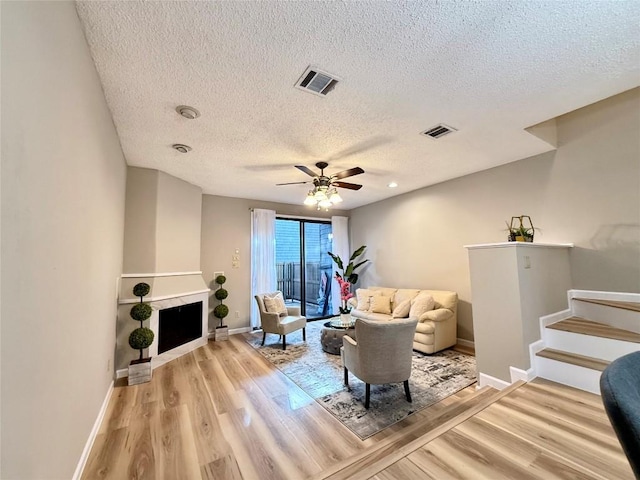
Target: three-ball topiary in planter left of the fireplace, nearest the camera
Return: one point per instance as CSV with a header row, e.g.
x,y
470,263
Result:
x,y
141,337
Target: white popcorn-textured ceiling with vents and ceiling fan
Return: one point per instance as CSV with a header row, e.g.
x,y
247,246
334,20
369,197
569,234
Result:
x,y
489,69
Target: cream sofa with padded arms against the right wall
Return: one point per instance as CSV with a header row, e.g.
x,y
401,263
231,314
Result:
x,y
436,329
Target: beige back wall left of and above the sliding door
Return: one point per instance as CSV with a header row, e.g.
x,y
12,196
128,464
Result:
x,y
226,226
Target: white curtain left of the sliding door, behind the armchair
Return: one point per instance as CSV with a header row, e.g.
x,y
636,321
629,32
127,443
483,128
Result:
x,y
263,257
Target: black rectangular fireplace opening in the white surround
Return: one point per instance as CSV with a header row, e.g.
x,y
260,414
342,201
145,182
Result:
x,y
179,325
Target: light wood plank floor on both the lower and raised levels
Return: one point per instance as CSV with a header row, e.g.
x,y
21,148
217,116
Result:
x,y
225,412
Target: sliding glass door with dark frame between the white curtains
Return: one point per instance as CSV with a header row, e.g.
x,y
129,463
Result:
x,y
302,265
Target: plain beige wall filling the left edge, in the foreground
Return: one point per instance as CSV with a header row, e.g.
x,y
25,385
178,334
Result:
x,y
63,191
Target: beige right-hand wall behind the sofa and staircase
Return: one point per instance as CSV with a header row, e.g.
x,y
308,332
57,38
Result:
x,y
587,192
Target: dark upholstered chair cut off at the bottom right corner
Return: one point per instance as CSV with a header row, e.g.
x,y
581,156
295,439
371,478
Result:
x,y
620,388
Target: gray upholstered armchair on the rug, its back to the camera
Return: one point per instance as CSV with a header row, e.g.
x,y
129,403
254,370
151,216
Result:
x,y
380,354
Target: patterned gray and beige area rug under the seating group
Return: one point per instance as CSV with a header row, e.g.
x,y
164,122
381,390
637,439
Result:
x,y
320,375
